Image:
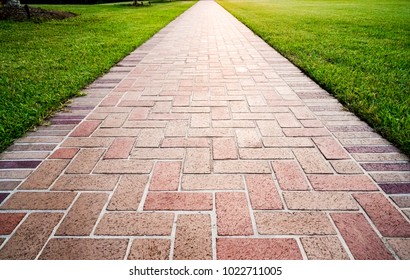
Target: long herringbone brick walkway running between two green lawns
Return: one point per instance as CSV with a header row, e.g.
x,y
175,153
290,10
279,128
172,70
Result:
x,y
204,143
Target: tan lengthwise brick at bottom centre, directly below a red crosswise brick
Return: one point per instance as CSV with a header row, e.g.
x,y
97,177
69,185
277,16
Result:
x,y
193,238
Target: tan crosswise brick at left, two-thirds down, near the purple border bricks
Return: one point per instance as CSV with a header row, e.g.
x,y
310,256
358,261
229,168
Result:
x,y
86,182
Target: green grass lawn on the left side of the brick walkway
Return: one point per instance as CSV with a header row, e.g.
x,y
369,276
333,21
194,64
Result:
x,y
43,65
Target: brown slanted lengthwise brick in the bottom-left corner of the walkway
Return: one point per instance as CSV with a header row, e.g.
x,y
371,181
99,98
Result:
x,y
30,237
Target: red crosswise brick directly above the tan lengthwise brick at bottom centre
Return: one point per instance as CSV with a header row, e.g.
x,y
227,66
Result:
x,y
178,201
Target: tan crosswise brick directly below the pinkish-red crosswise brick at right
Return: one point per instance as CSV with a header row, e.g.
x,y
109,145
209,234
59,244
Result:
x,y
309,200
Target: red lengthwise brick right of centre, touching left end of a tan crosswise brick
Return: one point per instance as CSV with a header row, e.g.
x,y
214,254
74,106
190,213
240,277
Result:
x,y
263,193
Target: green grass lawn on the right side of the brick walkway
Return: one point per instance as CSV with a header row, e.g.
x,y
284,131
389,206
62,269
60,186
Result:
x,y
359,50
